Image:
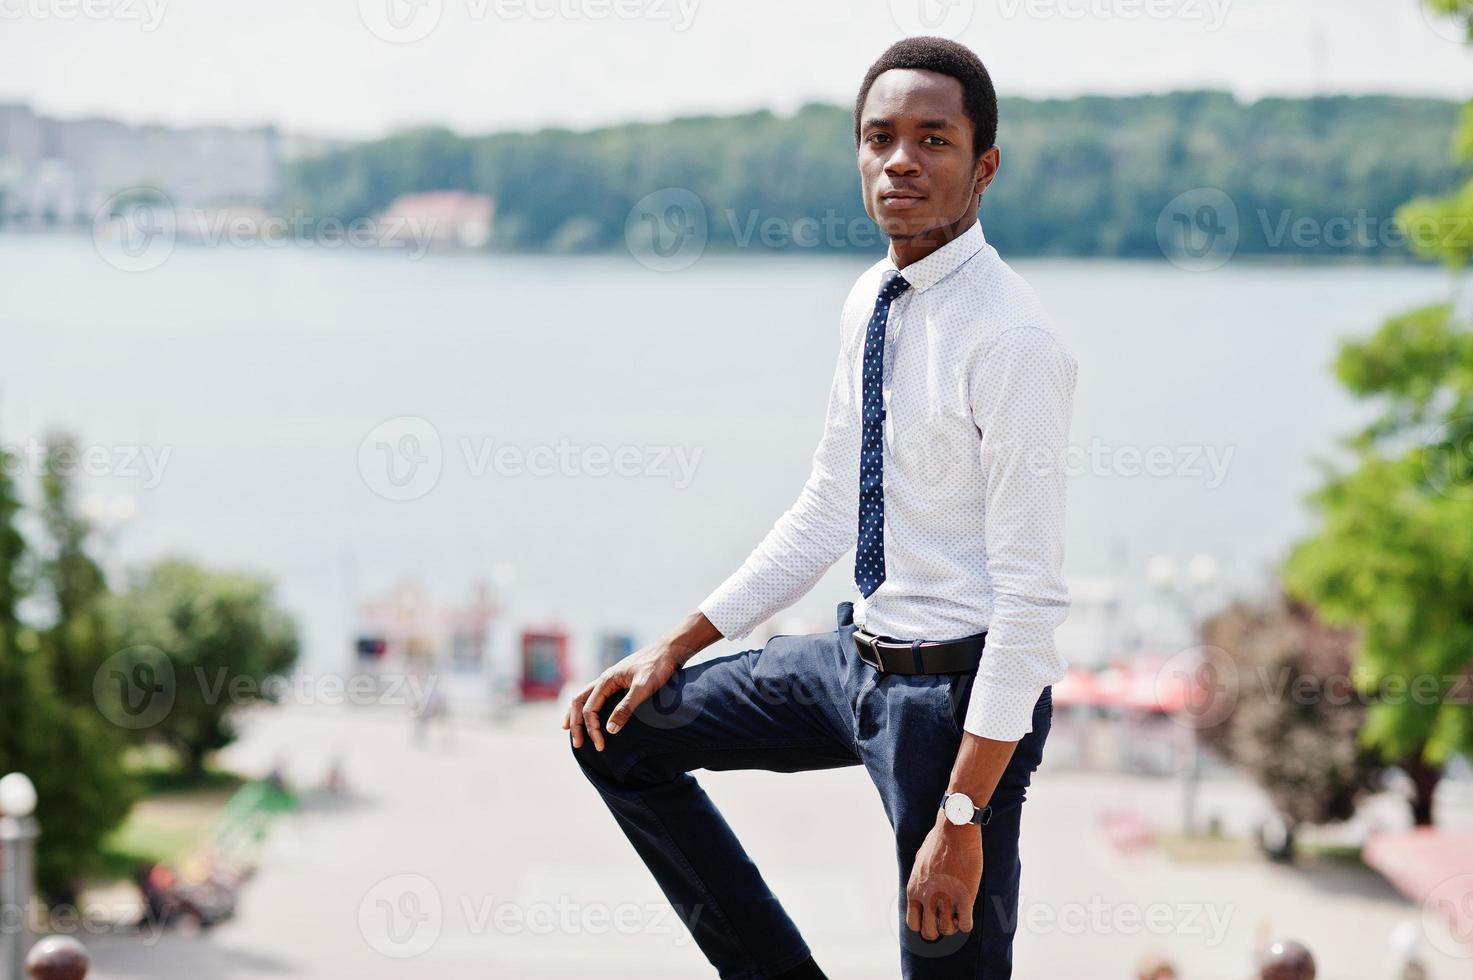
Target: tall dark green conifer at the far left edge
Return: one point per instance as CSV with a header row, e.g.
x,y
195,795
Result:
x,y
68,751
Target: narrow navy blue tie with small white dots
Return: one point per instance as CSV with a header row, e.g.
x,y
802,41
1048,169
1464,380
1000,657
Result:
x,y
870,556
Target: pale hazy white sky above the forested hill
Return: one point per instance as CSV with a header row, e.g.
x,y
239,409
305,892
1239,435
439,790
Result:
x,y
360,69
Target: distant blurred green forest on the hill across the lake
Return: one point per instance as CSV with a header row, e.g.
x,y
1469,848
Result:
x,y
1085,178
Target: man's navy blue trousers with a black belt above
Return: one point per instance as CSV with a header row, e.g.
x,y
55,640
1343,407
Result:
x,y
806,704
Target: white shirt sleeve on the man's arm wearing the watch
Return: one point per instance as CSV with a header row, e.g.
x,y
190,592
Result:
x,y
1023,396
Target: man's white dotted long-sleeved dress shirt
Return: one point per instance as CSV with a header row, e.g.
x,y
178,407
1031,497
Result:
x,y
979,394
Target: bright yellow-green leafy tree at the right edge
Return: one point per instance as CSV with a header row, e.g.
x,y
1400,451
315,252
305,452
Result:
x,y
1396,553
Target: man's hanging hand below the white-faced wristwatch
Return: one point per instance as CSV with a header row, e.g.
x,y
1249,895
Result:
x,y
945,881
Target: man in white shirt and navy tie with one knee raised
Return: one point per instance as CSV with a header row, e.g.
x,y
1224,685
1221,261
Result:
x,y
942,466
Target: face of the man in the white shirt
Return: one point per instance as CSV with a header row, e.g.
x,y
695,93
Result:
x,y
915,154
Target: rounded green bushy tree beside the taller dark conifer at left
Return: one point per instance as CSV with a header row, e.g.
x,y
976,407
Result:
x,y
205,643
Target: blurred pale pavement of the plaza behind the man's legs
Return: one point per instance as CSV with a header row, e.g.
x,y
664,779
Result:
x,y
485,854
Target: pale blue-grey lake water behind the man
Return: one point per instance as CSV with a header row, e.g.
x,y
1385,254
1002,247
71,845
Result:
x,y
263,372
